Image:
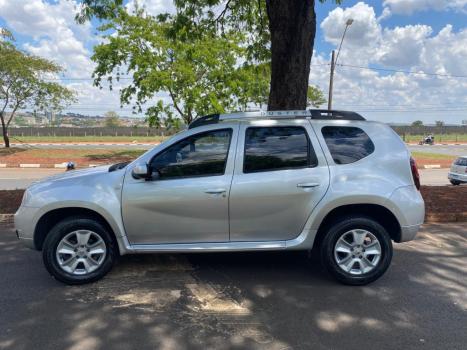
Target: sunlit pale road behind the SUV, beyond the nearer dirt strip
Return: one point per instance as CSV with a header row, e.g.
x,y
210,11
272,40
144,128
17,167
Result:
x,y
13,178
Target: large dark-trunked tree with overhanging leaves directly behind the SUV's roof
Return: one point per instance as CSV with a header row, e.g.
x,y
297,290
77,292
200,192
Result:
x,y
279,32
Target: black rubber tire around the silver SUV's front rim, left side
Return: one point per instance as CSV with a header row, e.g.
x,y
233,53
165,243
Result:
x,y
62,229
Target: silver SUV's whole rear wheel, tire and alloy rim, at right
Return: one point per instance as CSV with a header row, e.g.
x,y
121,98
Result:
x,y
356,250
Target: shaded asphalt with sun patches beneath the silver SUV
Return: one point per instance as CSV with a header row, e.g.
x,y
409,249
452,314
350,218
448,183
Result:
x,y
240,301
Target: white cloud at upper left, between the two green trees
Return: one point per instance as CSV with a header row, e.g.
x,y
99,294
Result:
x,y
55,35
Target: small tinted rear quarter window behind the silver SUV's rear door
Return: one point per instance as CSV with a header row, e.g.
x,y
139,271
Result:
x,y
347,144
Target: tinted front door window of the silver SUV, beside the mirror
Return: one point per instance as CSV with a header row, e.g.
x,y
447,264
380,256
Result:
x,y
203,154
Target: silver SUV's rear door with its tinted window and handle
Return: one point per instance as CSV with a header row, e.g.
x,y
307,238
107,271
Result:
x,y
280,176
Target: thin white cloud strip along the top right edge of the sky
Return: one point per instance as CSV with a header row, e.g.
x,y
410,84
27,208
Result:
x,y
407,7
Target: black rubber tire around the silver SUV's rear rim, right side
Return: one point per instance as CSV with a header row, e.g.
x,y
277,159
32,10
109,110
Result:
x,y
336,230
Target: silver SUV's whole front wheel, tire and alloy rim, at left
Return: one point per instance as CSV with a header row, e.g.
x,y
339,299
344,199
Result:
x,y
78,250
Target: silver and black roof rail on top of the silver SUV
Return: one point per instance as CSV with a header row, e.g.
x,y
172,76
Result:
x,y
322,114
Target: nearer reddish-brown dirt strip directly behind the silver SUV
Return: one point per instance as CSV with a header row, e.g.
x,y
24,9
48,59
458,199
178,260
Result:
x,y
443,203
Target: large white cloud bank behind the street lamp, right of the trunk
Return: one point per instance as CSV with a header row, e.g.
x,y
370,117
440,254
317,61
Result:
x,y
410,48
